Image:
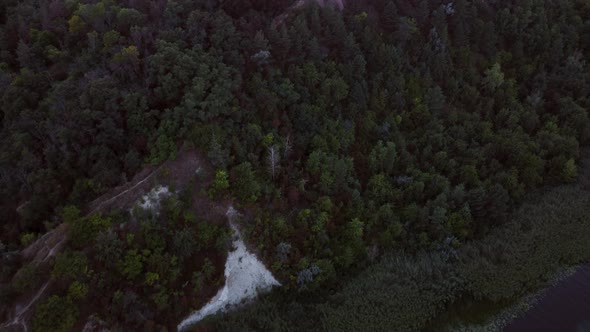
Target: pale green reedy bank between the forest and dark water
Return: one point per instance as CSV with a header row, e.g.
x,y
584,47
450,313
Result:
x,y
449,288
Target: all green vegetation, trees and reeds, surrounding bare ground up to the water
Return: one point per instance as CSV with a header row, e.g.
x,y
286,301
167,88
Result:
x,y
392,135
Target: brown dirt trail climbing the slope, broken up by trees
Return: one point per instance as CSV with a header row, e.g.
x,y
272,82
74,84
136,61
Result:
x,y
179,172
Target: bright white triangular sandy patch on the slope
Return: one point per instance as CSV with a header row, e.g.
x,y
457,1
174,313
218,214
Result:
x,y
245,277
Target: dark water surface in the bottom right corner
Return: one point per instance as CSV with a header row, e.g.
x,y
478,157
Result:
x,y
562,308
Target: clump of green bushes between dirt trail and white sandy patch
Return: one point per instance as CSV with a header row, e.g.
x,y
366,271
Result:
x,y
143,268
